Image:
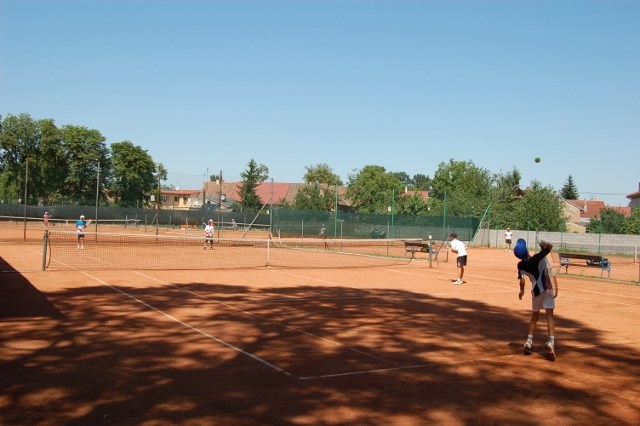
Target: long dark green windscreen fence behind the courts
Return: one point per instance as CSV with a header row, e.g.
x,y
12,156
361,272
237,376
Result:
x,y
283,222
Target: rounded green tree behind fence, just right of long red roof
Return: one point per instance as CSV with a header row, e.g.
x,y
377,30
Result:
x,y
373,190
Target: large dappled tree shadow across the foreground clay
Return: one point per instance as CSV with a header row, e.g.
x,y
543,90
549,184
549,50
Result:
x,y
220,354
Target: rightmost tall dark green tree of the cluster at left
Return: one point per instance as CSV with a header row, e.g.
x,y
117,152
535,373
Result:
x,y
133,177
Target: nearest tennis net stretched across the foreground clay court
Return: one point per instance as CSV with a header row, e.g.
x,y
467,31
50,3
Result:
x,y
101,251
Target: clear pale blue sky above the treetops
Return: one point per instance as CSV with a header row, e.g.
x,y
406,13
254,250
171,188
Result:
x,y
206,86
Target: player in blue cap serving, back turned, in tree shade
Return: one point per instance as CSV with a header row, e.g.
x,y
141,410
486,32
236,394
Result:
x,y
539,271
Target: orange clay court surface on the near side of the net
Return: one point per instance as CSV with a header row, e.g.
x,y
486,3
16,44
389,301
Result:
x,y
294,346
